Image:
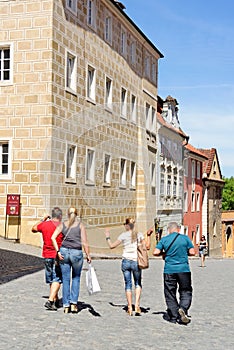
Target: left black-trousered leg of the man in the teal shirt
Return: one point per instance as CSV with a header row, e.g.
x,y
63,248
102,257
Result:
x,y
170,288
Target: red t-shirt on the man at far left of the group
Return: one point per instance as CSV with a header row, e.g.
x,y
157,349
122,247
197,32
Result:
x,y
47,229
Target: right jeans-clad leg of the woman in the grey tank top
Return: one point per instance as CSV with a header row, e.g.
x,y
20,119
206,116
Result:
x,y
76,257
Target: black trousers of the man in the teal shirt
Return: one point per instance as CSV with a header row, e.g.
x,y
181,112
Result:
x,y
182,283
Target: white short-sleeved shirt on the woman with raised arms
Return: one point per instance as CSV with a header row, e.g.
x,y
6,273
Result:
x,y
129,247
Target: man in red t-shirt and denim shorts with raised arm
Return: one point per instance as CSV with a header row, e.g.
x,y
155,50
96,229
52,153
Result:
x,y
53,274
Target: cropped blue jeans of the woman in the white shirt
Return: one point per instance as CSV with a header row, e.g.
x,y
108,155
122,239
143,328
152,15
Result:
x,y
129,268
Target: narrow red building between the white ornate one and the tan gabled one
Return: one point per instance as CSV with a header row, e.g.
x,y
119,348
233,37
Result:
x,y
193,190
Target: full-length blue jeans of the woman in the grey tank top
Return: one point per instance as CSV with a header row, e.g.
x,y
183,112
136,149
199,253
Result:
x,y
71,265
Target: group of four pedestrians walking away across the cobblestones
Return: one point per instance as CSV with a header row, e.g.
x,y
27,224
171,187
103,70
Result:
x,y
63,246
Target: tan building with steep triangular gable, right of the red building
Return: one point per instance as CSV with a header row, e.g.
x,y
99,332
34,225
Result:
x,y
212,201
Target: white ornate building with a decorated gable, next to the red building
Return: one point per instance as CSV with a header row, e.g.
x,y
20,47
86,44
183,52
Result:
x,y
170,156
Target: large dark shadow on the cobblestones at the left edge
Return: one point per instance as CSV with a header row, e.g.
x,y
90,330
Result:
x,y
14,265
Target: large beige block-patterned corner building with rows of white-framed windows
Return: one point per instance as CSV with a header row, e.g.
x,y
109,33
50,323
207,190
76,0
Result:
x,y
77,114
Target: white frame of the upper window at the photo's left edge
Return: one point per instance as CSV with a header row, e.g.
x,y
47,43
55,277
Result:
x,y
6,46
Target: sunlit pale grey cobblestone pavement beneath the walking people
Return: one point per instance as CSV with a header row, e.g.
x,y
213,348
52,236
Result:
x,y
102,322
